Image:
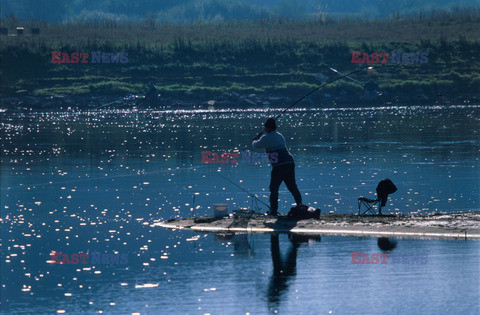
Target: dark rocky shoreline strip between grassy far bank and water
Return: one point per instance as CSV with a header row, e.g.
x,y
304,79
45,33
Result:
x,y
220,101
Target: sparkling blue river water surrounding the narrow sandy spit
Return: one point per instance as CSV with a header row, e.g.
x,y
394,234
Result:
x,y
92,182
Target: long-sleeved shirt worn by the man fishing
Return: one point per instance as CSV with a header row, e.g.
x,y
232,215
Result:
x,y
274,144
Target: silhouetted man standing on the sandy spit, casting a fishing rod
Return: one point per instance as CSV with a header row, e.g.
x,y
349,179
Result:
x,y
283,165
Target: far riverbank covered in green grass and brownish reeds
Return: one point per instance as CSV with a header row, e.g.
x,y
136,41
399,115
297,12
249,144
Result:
x,y
267,56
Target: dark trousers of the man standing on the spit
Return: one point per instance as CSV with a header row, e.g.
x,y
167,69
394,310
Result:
x,y
283,173
